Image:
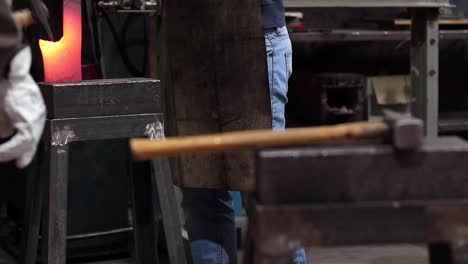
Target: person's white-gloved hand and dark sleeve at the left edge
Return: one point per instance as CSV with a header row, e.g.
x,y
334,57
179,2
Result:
x,y
22,110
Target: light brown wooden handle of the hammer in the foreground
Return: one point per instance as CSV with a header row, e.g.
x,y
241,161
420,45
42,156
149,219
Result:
x,y
143,149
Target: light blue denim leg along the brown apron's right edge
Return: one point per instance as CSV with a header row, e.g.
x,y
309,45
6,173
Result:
x,y
279,57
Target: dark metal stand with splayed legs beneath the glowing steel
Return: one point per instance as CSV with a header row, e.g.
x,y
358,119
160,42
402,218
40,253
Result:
x,y
49,194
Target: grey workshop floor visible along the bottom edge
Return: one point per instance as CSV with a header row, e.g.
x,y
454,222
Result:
x,y
404,254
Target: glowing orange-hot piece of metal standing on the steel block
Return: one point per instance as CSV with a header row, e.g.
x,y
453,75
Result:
x,y
62,59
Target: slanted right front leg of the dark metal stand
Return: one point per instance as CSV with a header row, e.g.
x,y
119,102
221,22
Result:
x,y
169,210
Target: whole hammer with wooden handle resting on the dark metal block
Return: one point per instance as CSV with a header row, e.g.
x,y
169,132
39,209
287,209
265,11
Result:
x,y
404,131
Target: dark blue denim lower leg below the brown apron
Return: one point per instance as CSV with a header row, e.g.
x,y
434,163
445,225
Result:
x,y
210,224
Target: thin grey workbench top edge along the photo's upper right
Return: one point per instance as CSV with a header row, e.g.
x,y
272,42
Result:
x,y
368,3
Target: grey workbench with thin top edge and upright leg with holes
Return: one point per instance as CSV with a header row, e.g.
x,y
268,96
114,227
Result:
x,y
424,48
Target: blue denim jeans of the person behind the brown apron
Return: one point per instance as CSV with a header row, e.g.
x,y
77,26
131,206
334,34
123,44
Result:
x,y
209,213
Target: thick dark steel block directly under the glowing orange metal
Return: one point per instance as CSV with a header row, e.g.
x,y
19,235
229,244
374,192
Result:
x,y
102,97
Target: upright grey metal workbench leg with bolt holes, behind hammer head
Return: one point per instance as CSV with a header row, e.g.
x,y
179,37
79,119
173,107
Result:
x,y
425,67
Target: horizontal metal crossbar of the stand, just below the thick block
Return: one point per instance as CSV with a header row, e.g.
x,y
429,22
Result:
x,y
103,127
